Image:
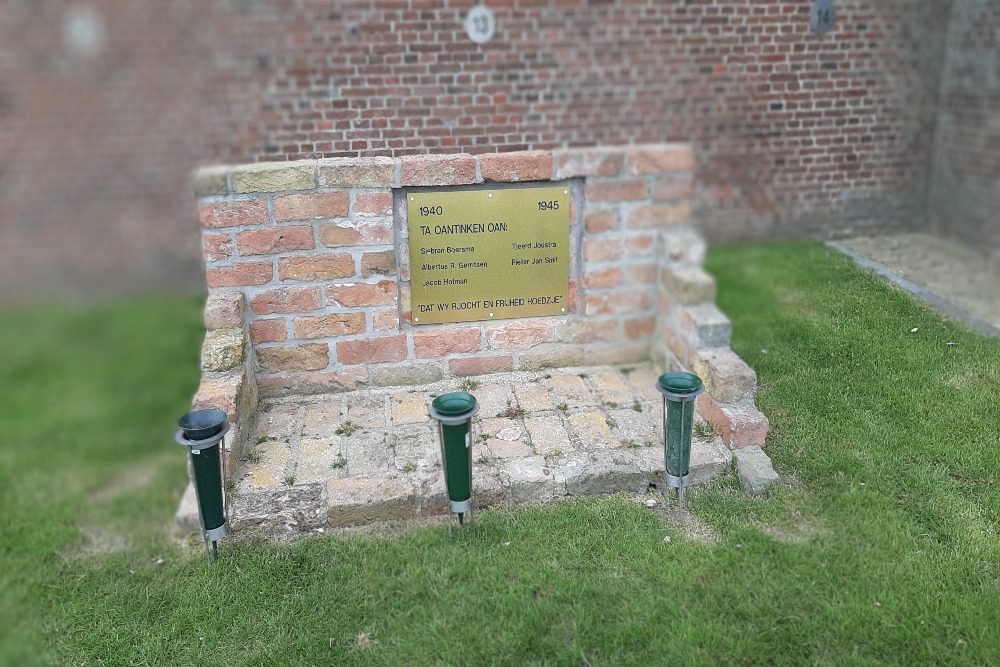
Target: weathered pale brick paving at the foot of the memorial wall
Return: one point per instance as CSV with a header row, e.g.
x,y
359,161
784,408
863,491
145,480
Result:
x,y
322,462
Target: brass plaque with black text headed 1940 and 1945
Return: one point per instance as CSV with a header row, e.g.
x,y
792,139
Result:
x,y
488,254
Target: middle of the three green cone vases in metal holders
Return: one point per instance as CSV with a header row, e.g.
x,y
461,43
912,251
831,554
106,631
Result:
x,y
454,413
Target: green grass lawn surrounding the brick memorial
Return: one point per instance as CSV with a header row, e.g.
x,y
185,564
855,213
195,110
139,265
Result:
x,y
883,546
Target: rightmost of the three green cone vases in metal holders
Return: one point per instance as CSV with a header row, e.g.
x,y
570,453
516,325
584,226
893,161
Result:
x,y
679,393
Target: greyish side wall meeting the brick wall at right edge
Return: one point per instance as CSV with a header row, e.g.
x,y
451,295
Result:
x,y
965,187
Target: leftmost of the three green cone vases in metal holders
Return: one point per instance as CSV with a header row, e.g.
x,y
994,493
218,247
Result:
x,y
202,432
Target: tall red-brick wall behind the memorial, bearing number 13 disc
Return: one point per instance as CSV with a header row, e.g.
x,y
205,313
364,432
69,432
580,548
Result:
x,y
794,134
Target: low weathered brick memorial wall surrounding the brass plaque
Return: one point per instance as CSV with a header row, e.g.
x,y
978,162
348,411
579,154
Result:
x,y
318,250
